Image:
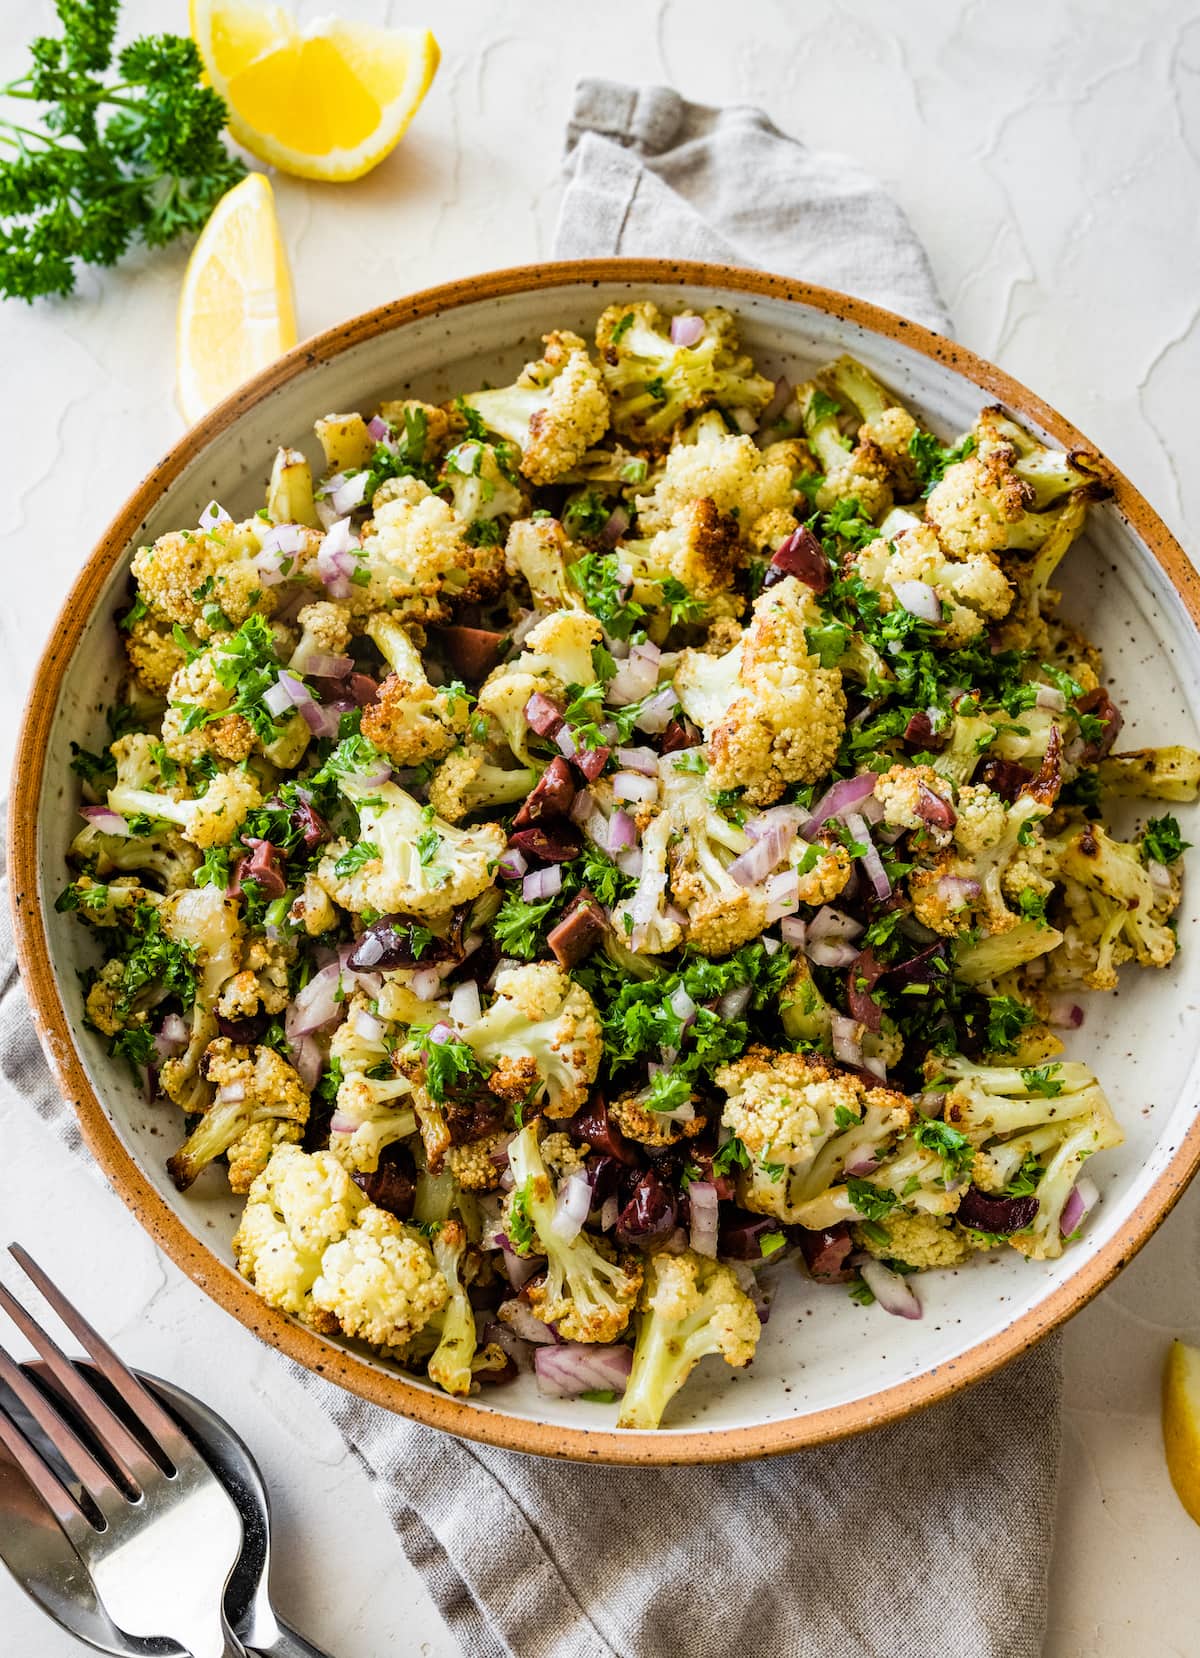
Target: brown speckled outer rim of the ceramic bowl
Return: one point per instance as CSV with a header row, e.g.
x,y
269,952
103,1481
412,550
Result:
x,y
221,1282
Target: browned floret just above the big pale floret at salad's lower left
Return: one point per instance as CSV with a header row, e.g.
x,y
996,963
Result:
x,y
258,1103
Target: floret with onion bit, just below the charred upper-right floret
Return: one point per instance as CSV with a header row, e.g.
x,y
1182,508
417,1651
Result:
x,y
972,591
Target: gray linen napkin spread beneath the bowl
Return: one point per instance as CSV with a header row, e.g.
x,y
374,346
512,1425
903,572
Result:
x,y
927,1534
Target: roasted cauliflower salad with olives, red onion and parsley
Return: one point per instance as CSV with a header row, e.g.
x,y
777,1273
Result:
x,y
604,846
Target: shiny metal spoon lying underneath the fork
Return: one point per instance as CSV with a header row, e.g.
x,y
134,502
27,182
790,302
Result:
x,y
42,1561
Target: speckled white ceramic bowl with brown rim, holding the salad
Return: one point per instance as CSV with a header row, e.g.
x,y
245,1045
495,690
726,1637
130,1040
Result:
x,y
825,1367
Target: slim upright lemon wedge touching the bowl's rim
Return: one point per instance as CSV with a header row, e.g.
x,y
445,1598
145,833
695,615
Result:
x,y
236,313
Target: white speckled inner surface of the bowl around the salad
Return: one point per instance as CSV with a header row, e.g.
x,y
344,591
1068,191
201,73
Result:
x,y
820,1350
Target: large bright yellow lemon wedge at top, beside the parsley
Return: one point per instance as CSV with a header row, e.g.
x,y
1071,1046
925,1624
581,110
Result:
x,y
326,102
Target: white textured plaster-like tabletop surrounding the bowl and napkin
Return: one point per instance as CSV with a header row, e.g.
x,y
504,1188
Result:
x,y
1050,158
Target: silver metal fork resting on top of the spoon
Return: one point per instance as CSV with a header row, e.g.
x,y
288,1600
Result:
x,y
148,1518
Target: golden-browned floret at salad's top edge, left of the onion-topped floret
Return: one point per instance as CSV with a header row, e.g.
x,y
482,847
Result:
x,y
556,412
